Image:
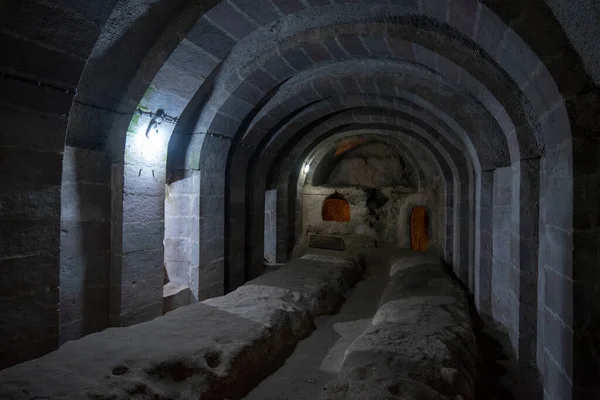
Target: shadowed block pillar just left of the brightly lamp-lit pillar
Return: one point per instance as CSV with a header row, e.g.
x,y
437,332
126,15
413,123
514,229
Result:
x,y
85,243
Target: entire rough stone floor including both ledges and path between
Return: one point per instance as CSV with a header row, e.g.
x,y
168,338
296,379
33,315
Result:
x,y
243,337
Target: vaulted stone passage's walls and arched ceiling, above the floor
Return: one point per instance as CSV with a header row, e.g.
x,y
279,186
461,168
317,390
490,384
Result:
x,y
483,112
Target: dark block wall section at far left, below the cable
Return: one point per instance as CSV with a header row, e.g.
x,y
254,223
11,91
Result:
x,y
32,140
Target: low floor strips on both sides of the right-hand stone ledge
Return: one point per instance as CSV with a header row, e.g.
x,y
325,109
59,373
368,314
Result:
x,y
318,358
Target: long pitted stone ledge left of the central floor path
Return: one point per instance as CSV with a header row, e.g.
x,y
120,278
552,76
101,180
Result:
x,y
217,349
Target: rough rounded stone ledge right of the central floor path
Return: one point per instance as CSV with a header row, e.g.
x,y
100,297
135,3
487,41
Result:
x,y
421,342
